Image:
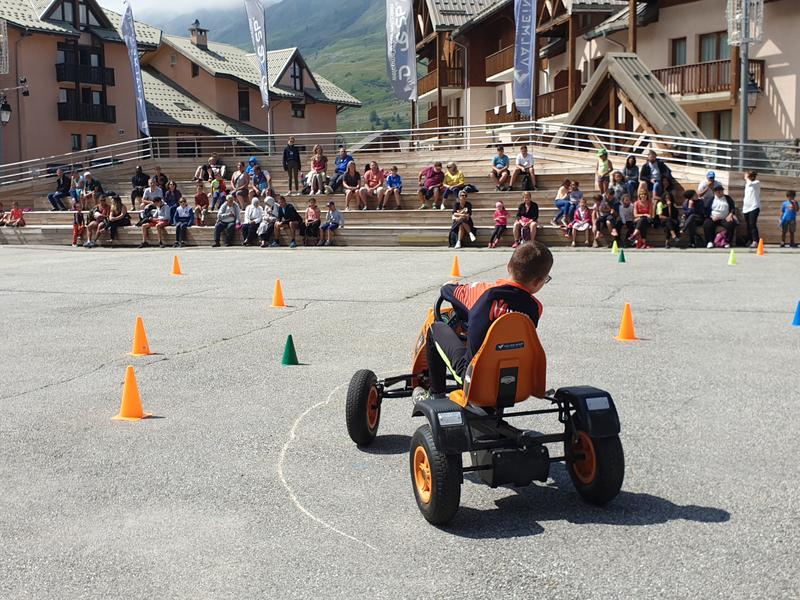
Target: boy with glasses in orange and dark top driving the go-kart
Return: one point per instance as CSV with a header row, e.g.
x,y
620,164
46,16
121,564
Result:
x,y
528,269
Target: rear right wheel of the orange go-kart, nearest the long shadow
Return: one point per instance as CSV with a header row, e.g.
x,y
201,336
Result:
x,y
596,465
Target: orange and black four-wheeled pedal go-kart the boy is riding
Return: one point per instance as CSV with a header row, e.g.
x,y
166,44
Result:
x,y
509,368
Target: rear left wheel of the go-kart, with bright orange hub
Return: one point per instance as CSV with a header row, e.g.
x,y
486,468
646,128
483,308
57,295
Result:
x,y
435,478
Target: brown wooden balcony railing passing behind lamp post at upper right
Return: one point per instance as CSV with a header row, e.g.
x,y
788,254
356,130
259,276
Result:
x,y
704,78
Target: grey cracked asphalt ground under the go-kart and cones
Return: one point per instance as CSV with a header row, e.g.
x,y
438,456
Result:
x,y
246,484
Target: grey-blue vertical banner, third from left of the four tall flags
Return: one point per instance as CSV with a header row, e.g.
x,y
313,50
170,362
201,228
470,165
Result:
x,y
401,49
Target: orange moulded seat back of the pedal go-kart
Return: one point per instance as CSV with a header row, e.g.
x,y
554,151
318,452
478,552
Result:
x,y
509,367
